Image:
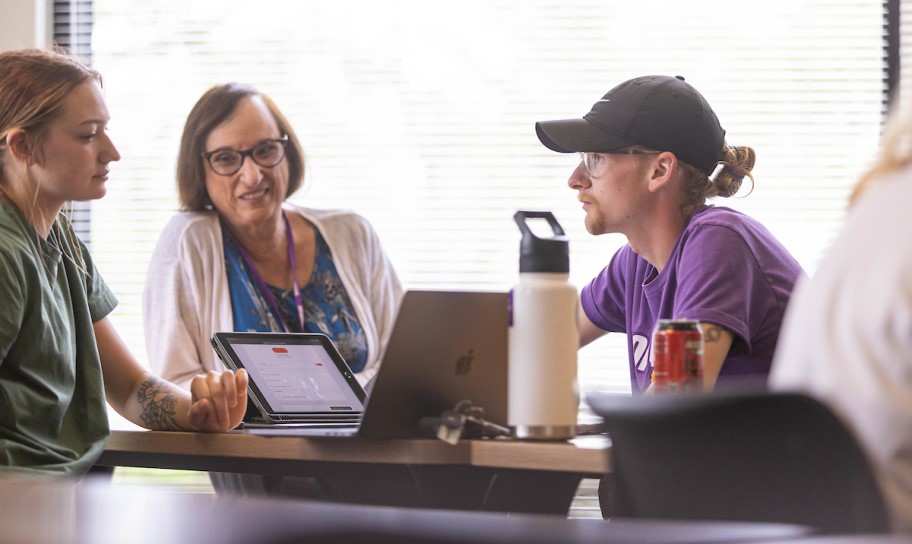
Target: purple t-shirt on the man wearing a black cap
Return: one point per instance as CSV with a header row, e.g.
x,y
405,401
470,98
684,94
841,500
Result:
x,y
725,268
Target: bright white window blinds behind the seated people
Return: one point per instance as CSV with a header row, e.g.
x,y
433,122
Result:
x,y
420,115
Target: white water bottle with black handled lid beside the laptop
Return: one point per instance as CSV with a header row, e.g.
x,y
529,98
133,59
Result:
x,y
544,337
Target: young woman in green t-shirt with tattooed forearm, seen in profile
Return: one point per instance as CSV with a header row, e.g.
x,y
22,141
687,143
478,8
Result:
x,y
60,357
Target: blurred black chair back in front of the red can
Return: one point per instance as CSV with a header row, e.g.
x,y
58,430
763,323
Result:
x,y
737,457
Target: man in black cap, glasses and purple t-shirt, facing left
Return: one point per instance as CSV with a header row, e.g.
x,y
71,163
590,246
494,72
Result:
x,y
652,151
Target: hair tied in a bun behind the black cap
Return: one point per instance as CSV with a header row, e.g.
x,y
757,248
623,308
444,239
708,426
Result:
x,y
735,163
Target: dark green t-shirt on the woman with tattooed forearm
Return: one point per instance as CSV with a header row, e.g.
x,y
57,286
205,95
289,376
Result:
x,y
53,417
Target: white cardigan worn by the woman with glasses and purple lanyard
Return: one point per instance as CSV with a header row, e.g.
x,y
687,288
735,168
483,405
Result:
x,y
186,296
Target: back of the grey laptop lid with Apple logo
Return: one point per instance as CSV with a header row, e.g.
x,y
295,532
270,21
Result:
x,y
446,347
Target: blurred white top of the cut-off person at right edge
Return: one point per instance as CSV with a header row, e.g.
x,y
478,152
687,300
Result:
x,y
847,335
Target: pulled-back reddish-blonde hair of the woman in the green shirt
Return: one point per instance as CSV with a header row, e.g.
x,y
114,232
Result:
x,y
34,84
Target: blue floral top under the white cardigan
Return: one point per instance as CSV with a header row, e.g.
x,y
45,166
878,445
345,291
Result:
x,y
327,308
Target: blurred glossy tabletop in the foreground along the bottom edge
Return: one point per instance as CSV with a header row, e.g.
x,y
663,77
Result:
x,y
66,512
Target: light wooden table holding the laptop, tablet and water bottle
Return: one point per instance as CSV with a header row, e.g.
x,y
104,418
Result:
x,y
491,474
